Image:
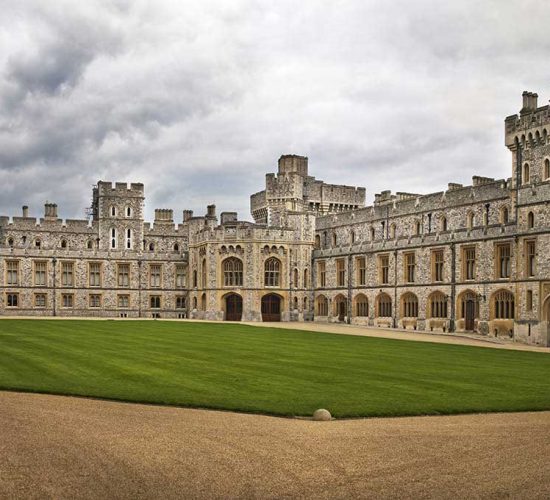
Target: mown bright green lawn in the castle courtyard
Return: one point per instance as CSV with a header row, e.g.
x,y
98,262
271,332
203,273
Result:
x,y
266,370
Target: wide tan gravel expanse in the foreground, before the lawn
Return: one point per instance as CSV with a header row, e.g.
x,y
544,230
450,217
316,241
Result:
x,y
61,447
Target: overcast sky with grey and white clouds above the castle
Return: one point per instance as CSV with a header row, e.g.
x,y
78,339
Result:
x,y
198,99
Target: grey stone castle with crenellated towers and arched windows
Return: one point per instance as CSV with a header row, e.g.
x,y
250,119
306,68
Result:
x,y
470,258
